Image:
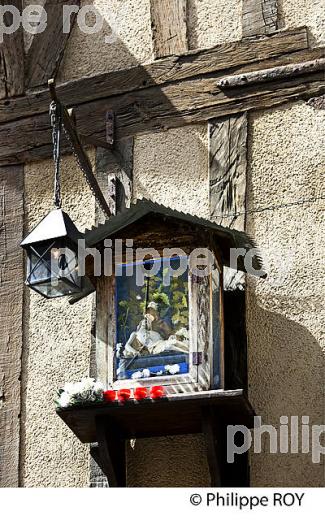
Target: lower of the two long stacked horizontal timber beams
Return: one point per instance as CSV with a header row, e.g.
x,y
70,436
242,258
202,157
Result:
x,y
156,109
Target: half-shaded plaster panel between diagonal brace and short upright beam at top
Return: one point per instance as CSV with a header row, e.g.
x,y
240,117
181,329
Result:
x,y
127,24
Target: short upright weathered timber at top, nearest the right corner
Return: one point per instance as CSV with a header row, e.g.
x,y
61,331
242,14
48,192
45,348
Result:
x,y
259,17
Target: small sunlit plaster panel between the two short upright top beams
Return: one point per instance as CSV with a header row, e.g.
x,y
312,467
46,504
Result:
x,y
211,22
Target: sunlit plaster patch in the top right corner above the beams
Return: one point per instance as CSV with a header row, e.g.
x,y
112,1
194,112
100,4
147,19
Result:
x,y
311,13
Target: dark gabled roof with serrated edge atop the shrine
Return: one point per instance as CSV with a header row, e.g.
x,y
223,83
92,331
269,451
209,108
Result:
x,y
144,220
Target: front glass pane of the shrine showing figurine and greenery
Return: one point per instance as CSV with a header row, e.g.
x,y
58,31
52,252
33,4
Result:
x,y
152,319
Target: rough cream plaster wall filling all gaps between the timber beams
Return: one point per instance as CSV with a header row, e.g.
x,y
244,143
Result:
x,y
286,161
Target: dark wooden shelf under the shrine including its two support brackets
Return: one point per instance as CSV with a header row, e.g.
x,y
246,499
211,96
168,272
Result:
x,y
110,424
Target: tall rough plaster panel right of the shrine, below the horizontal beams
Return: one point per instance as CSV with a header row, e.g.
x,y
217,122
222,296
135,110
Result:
x,y
286,311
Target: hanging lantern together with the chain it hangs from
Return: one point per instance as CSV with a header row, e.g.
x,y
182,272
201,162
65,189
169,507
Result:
x,y
52,247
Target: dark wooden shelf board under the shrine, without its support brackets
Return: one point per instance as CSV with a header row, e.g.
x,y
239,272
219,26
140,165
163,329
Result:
x,y
173,415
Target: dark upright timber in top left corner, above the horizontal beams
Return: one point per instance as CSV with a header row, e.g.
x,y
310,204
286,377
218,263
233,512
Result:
x,y
12,58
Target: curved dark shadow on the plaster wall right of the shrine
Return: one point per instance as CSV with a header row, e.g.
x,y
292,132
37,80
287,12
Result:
x,y
286,378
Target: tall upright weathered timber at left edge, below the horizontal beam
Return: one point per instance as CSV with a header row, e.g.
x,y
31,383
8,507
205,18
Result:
x,y
11,322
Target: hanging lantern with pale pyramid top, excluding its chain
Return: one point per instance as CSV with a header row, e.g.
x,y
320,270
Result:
x,y
52,252
